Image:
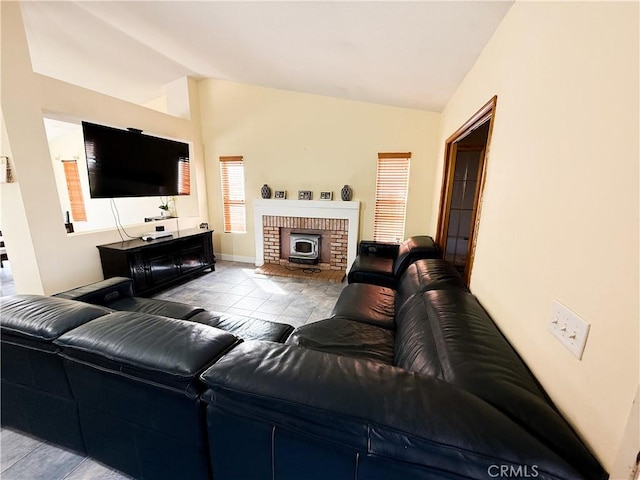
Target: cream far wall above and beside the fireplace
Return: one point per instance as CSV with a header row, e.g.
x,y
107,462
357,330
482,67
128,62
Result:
x,y
294,141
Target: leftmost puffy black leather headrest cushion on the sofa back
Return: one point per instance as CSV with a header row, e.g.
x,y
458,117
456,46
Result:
x,y
43,319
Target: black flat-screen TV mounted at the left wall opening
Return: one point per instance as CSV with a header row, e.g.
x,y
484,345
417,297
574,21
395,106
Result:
x,y
127,163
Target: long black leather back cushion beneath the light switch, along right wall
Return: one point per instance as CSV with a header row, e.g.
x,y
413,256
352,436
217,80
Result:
x,y
475,356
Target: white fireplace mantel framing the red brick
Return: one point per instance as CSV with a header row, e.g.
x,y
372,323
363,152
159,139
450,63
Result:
x,y
309,209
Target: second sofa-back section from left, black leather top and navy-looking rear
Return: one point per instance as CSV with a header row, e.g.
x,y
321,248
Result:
x,y
135,377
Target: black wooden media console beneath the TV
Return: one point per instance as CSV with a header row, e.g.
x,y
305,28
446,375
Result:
x,y
157,264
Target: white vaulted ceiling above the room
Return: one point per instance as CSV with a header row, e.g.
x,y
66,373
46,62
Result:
x,y
408,54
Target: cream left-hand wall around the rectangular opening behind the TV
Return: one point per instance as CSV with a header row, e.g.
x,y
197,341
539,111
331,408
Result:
x,y
33,219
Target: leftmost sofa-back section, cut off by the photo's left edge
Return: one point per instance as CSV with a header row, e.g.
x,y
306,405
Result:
x,y
36,396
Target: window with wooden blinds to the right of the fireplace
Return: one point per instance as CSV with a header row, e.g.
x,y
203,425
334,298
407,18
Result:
x,y
392,184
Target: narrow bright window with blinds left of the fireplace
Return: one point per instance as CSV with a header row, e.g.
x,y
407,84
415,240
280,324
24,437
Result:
x,y
232,178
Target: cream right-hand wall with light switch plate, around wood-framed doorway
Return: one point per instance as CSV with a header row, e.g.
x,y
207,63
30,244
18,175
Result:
x,y
560,215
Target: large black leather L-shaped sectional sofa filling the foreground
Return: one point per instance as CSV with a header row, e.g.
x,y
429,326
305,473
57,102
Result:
x,y
409,382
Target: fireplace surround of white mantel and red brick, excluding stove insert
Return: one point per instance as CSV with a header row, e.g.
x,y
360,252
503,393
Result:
x,y
339,220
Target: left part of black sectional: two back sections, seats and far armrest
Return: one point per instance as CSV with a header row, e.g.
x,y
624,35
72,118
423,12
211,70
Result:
x,y
117,378
